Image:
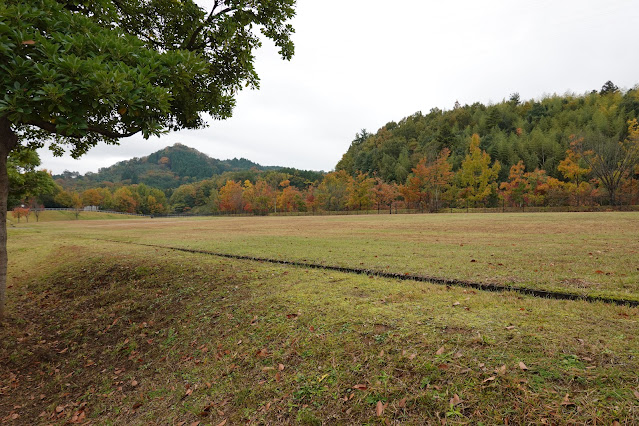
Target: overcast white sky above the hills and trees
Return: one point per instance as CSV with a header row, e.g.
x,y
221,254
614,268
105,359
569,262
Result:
x,y
362,63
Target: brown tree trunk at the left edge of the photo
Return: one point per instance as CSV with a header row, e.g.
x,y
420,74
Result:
x,y
8,141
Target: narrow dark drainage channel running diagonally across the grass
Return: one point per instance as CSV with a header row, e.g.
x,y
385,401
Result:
x,y
556,295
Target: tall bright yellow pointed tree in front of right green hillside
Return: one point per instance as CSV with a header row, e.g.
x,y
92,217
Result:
x,y
476,176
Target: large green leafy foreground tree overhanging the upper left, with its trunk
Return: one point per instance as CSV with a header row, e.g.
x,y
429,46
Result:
x,y
78,72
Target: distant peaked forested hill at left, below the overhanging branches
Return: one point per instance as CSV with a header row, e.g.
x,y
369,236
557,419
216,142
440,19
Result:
x,y
168,168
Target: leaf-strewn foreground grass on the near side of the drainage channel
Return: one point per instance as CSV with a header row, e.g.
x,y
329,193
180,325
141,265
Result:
x,y
119,334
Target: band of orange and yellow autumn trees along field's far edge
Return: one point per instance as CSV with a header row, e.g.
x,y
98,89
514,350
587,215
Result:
x,y
591,172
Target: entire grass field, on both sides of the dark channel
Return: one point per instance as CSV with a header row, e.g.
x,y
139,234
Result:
x,y
114,333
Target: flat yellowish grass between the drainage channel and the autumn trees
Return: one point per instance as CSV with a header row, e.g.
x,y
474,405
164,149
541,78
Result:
x,y
581,253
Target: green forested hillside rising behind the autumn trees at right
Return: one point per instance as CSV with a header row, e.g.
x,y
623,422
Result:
x,y
535,131
